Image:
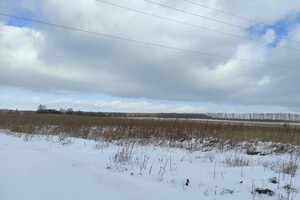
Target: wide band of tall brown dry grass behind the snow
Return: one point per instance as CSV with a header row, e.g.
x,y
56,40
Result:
x,y
147,130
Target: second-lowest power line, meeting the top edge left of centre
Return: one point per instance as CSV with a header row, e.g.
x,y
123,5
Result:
x,y
192,25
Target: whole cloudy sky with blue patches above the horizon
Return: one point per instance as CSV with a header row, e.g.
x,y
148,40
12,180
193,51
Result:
x,y
63,68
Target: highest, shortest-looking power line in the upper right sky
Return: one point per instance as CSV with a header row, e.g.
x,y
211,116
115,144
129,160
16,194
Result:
x,y
237,16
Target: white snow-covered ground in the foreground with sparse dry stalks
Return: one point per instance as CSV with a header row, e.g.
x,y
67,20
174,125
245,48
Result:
x,y
43,169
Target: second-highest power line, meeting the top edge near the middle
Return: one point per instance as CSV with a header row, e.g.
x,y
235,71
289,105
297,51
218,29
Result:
x,y
215,20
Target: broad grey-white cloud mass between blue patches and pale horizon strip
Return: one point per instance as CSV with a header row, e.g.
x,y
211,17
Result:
x,y
53,60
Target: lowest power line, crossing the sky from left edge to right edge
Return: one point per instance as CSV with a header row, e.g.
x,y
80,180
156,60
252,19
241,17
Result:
x,y
148,43
